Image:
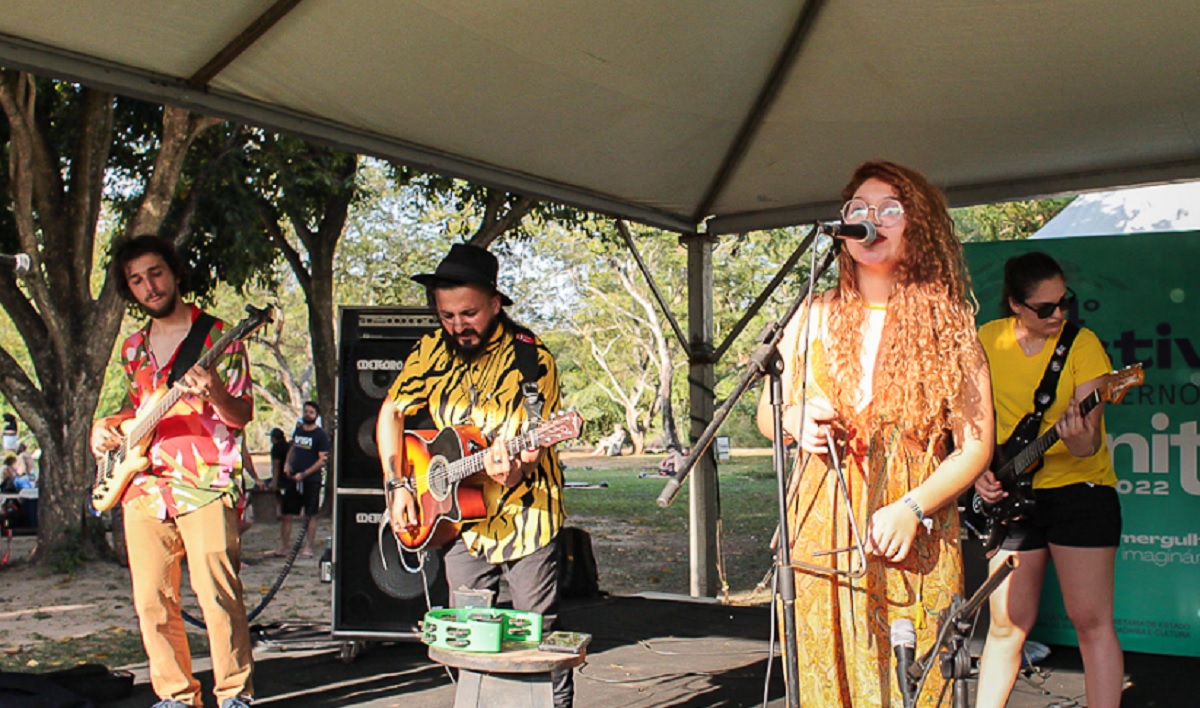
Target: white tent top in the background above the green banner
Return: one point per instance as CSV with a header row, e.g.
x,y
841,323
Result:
x,y
1161,208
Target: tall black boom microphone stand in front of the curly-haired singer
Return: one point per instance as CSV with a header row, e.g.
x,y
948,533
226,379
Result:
x,y
765,361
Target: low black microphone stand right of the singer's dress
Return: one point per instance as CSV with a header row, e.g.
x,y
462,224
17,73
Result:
x,y
955,657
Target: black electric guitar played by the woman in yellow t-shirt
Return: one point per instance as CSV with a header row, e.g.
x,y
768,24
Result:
x,y
1017,460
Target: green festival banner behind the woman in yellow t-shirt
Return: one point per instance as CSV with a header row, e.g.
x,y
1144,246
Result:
x,y
1135,293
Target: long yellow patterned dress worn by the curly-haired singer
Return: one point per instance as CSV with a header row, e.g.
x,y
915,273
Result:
x,y
844,623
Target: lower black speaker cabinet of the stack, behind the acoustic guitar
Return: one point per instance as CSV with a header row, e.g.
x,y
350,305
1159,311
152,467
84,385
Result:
x,y
377,591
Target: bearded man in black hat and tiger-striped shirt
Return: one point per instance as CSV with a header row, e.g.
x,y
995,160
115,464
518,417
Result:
x,y
484,370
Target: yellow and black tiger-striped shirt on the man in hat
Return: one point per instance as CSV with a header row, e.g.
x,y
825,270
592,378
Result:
x,y
487,393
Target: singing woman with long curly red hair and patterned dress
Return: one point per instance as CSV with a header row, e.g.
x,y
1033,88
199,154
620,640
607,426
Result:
x,y
886,388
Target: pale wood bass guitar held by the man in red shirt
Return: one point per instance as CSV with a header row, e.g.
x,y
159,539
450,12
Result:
x,y
116,469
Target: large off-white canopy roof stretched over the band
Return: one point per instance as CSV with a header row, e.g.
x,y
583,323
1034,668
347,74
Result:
x,y
671,112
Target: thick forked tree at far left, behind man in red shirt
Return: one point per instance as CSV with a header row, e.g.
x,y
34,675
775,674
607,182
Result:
x,y
68,148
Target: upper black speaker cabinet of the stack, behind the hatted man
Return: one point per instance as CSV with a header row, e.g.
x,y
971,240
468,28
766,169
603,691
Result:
x,y
375,343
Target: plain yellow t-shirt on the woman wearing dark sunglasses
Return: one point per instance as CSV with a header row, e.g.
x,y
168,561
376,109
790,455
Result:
x,y
1015,377
